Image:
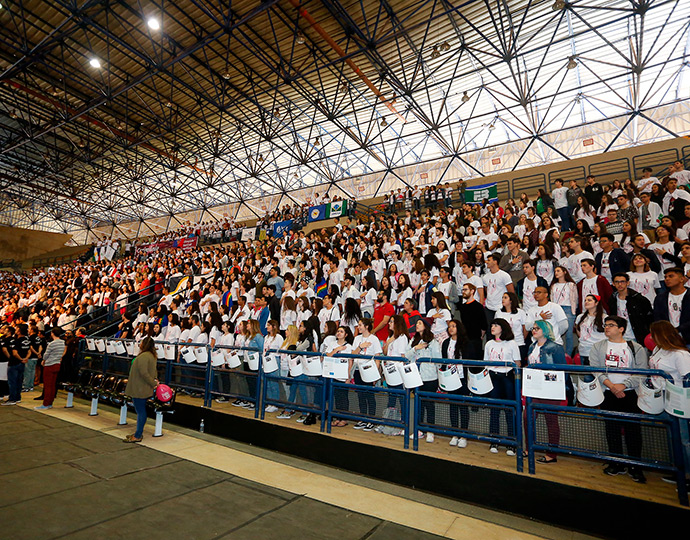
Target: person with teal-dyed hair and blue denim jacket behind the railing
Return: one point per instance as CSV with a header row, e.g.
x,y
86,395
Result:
x,y
544,350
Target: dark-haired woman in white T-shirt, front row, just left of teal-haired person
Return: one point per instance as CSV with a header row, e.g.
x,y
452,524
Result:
x,y
502,348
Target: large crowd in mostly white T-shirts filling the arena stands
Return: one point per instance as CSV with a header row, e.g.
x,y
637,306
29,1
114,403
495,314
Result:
x,y
580,274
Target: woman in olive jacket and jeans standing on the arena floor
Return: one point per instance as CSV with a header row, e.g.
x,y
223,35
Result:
x,y
141,384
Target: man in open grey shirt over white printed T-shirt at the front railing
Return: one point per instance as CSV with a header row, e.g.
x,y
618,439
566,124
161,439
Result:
x,y
619,392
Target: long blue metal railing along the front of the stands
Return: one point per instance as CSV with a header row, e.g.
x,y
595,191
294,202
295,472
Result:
x,y
331,400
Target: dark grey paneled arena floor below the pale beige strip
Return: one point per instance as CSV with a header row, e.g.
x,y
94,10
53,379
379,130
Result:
x,y
60,480
